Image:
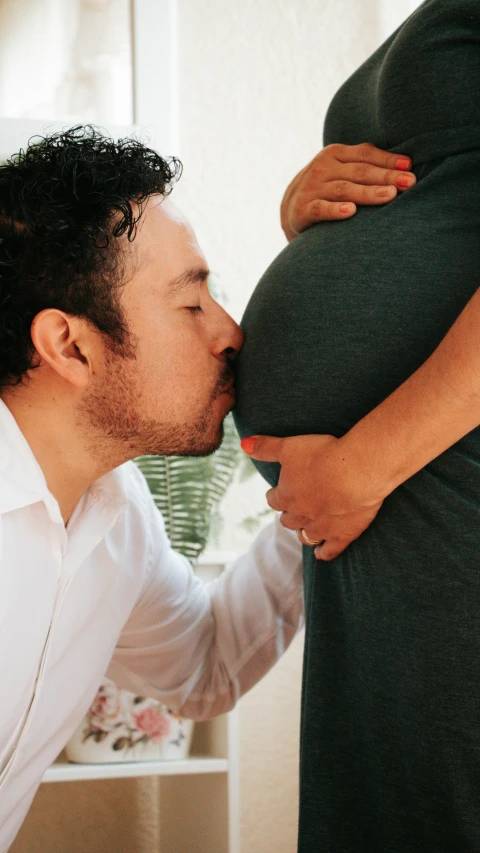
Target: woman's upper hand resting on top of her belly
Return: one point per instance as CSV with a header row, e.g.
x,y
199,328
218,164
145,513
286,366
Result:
x,y
339,178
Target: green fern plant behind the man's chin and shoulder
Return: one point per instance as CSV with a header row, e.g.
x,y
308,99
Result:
x,y
187,490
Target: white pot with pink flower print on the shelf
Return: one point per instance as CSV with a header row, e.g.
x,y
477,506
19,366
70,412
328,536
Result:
x,y
121,726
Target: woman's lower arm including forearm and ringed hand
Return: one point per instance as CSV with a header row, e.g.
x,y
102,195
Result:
x,y
333,488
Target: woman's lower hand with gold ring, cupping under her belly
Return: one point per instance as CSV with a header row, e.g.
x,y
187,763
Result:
x,y
323,490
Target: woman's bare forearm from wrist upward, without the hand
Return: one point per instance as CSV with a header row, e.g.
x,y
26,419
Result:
x,y
433,409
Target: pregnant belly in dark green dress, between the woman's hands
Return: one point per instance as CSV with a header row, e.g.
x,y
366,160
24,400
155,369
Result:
x,y
349,310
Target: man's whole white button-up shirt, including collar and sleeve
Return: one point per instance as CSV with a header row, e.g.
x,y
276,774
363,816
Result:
x,y
108,594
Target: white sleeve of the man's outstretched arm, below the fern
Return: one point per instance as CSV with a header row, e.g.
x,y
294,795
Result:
x,y
198,647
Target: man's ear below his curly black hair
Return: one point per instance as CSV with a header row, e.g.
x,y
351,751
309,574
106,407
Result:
x,y
64,342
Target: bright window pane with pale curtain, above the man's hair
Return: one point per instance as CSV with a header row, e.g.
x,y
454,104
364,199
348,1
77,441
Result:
x,y
66,60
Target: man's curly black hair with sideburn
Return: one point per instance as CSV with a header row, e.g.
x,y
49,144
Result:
x,y
63,202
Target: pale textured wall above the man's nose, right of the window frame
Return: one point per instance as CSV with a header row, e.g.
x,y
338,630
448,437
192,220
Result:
x,y
256,78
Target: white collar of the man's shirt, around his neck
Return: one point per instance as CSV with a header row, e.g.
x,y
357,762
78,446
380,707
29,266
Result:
x,y
22,481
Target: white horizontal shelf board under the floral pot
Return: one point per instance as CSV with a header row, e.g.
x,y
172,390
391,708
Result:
x,y
65,771
